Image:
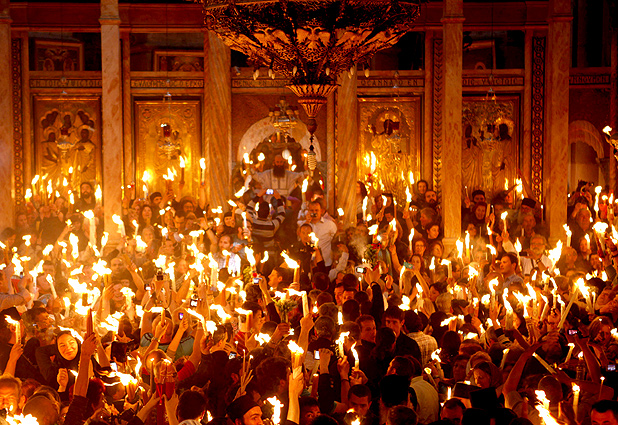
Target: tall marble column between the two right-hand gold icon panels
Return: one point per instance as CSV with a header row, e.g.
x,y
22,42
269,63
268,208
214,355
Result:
x,y
452,24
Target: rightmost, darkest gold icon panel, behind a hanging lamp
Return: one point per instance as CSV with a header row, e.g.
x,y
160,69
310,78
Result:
x,y
490,150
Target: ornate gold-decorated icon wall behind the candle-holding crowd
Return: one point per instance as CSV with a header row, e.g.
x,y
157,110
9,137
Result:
x,y
216,104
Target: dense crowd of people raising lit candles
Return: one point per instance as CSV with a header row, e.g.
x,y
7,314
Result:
x,y
271,310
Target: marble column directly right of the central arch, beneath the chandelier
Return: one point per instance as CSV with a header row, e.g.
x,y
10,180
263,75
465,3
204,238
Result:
x,y
347,146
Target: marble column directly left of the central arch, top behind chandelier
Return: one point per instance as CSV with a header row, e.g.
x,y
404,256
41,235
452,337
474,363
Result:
x,y
217,119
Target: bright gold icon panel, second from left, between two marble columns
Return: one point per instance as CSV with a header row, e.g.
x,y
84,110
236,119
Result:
x,y
158,152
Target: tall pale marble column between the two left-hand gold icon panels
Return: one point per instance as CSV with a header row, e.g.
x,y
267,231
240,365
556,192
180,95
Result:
x,y
111,114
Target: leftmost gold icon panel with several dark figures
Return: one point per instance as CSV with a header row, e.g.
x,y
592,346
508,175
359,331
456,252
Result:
x,y
67,137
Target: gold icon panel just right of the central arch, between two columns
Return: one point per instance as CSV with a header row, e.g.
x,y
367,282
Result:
x,y
391,131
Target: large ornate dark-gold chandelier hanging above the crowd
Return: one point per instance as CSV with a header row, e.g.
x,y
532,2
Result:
x,y
310,42
